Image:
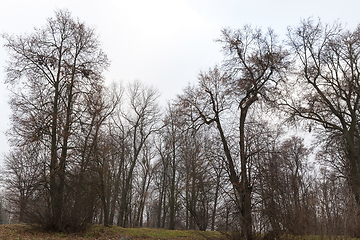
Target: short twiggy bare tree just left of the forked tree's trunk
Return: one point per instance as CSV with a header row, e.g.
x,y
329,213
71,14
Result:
x,y
197,171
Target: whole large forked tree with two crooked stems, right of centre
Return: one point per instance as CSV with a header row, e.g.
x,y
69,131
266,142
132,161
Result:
x,y
254,63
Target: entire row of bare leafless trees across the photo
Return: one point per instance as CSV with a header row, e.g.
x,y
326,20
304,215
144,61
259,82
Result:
x,y
223,155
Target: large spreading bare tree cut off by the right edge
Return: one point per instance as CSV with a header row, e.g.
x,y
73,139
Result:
x,y
327,61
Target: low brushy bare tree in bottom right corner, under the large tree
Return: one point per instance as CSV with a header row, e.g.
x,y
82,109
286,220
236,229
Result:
x,y
338,210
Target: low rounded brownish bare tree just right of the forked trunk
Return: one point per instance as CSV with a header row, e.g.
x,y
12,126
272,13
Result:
x,y
288,195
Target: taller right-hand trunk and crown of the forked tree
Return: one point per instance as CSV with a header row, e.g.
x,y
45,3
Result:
x,y
256,62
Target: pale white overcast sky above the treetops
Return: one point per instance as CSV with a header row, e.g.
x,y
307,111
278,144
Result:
x,y
164,43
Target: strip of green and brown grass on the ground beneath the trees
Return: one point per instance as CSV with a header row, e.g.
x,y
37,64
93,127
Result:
x,y
25,232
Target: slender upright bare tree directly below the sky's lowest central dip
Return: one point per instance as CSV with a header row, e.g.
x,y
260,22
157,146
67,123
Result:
x,y
167,168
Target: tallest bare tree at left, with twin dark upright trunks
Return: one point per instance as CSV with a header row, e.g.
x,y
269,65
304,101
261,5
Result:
x,y
52,71
